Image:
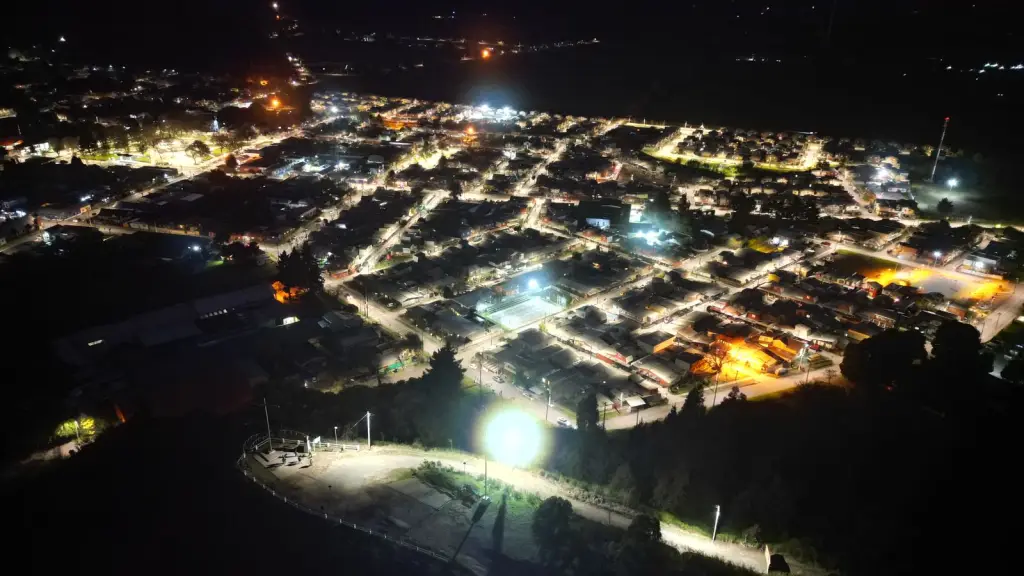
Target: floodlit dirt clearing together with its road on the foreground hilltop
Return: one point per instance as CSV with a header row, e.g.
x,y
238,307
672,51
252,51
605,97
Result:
x,y
369,488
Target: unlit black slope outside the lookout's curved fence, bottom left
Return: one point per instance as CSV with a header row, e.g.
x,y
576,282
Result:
x,y
163,495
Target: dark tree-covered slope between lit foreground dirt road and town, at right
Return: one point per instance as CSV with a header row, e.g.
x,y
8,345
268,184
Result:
x,y
821,472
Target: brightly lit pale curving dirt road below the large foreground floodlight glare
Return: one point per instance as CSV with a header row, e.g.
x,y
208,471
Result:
x,y
379,464
